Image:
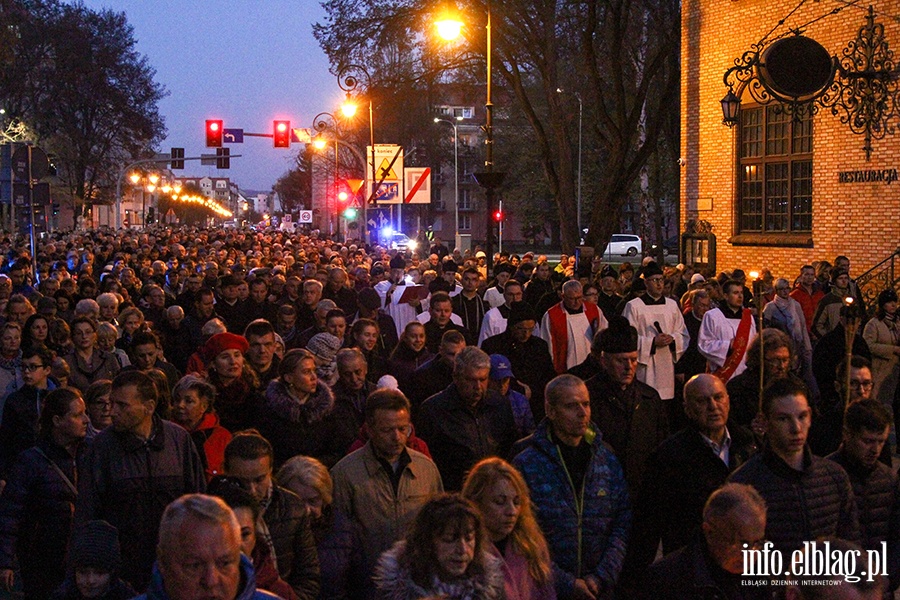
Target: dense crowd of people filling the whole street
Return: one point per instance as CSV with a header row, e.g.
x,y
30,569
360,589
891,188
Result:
x,y
192,413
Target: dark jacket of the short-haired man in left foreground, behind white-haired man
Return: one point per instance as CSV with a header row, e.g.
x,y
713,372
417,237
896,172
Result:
x,y
129,482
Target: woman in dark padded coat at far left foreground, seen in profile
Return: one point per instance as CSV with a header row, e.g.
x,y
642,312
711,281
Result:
x,y
38,502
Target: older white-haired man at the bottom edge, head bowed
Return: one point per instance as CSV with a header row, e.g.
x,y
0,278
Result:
x,y
199,554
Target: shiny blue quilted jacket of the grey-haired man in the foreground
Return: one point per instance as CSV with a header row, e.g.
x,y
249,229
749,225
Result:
x,y
586,535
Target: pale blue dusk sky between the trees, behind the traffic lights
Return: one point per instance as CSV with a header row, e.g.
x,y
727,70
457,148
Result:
x,y
244,61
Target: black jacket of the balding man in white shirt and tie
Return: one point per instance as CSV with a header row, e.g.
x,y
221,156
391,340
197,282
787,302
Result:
x,y
680,476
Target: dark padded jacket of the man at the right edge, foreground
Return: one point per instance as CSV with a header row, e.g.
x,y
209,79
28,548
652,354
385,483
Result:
x,y
877,492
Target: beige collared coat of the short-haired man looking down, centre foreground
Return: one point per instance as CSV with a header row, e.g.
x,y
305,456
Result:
x,y
363,492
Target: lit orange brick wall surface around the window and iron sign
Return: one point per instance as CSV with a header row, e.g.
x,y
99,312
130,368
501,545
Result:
x,y
859,220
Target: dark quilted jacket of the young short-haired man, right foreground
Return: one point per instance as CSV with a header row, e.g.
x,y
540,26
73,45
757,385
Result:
x,y
802,505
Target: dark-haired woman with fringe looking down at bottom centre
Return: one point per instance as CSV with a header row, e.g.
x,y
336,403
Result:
x,y
443,556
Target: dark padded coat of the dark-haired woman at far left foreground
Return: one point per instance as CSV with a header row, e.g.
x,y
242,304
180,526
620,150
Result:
x,y
36,517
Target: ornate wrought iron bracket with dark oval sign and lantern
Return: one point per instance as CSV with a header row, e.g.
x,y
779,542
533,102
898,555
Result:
x,y
860,87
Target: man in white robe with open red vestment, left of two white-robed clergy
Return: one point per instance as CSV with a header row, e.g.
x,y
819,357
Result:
x,y
569,326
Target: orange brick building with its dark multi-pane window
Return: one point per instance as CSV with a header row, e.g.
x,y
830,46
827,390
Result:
x,y
778,192
